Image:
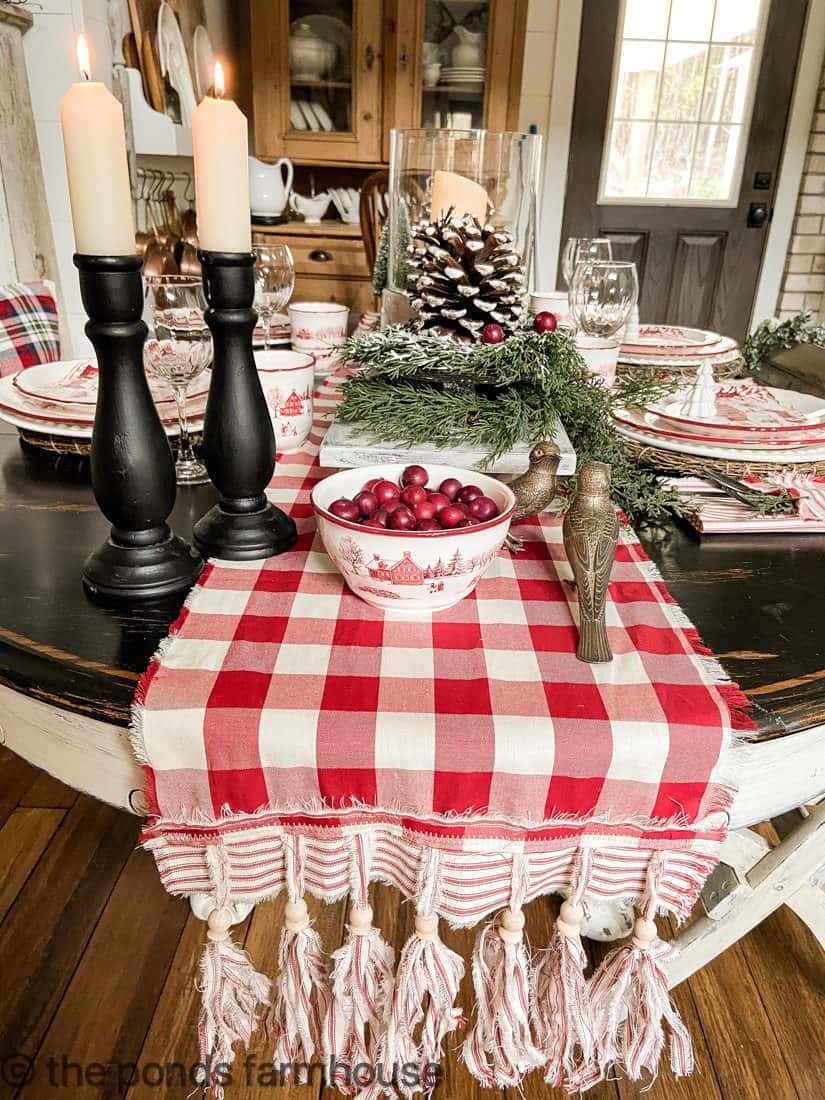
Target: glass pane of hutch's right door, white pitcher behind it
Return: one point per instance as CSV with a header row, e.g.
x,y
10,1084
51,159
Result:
x,y
455,64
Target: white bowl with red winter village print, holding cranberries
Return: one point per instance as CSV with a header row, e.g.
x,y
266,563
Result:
x,y
412,574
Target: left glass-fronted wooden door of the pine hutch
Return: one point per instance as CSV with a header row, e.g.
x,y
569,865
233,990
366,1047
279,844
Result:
x,y
317,112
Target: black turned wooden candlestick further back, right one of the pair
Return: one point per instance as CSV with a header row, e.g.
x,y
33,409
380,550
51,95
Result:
x,y
239,441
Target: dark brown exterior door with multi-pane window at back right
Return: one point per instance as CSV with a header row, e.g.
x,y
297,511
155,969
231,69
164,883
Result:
x,y
667,158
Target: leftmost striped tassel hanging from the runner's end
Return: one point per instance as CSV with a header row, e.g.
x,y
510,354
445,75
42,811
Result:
x,y
233,992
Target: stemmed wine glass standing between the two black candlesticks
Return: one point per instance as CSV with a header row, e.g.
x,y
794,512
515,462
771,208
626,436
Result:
x,y
178,350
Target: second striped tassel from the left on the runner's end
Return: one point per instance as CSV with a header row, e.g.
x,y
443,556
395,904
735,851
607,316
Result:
x,y
303,991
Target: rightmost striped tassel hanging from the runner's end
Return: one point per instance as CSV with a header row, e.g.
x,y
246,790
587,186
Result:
x,y
631,1002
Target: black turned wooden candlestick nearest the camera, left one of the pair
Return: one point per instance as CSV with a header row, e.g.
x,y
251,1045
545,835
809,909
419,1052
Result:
x,y
133,469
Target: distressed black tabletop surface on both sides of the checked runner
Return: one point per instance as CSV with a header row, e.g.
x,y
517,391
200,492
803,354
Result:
x,y
756,601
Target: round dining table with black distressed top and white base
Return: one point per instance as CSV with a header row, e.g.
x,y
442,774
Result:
x,y
69,669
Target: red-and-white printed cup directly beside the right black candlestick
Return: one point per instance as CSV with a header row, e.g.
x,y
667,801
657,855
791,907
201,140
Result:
x,y
288,379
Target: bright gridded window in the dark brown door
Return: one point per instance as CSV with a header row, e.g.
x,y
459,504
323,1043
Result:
x,y
684,87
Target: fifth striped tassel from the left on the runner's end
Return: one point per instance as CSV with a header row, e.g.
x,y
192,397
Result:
x,y
500,1050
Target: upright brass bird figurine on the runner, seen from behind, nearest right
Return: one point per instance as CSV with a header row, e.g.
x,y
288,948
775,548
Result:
x,y
591,535
